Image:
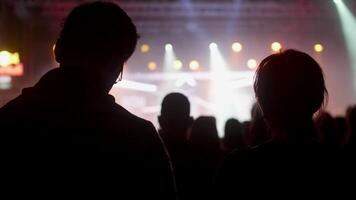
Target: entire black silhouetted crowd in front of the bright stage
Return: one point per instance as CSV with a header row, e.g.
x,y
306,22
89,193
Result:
x,y
69,114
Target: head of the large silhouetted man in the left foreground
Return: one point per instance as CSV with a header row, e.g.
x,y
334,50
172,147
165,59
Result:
x,y
97,38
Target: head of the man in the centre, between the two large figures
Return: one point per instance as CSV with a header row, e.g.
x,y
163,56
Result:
x,y
175,113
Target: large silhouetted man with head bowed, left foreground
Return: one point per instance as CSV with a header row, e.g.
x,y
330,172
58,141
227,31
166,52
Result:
x,y
69,111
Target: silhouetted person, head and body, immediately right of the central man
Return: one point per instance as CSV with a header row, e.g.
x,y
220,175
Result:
x,y
206,155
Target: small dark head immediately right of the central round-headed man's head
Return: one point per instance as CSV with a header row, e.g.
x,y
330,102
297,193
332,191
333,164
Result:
x,y
204,134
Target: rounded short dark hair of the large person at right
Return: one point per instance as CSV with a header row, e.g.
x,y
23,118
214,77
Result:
x,y
290,82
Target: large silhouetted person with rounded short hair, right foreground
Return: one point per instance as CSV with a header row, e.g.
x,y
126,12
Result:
x,y
290,88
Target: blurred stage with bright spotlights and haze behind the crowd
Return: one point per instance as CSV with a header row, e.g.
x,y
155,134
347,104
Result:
x,y
206,49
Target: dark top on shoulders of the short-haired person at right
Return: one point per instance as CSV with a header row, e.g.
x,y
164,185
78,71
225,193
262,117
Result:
x,y
274,169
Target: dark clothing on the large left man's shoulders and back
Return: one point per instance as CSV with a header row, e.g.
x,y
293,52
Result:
x,y
60,120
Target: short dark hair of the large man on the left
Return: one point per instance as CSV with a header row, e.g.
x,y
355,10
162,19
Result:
x,y
98,29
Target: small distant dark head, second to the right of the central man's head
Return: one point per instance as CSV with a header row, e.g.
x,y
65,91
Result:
x,y
233,137
